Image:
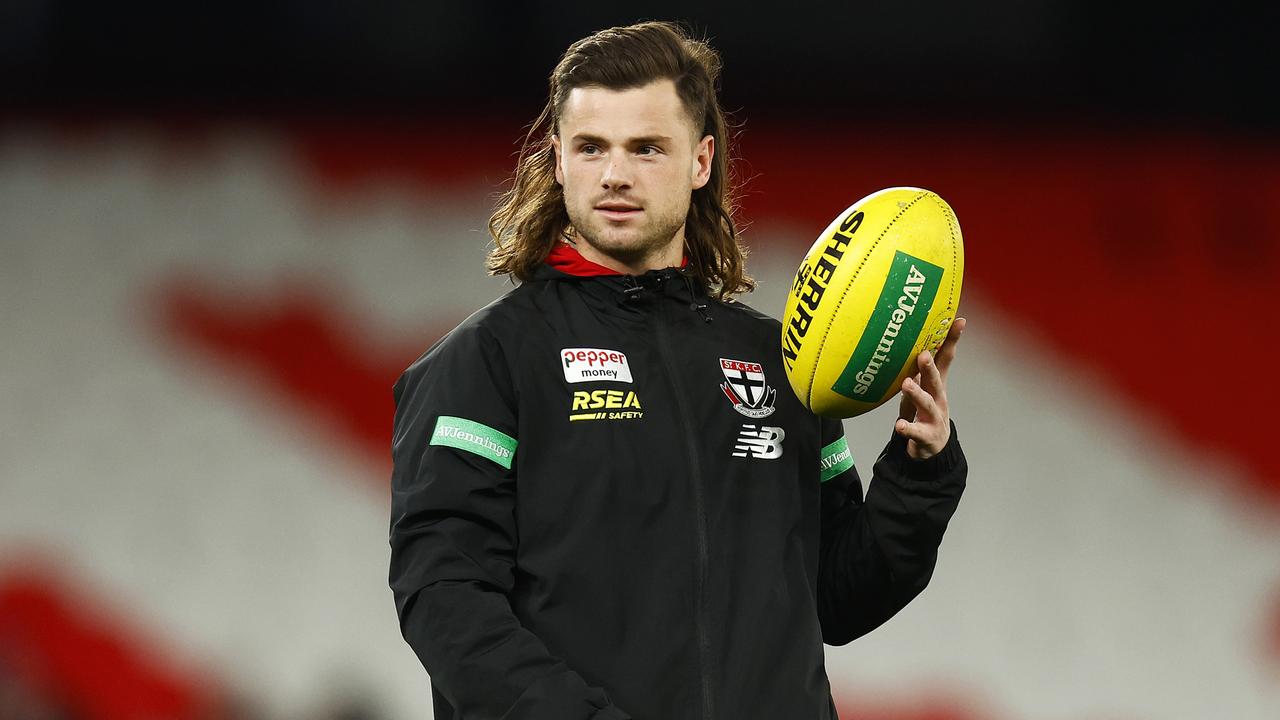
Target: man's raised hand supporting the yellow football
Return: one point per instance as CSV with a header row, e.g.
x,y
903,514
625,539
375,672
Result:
x,y
924,417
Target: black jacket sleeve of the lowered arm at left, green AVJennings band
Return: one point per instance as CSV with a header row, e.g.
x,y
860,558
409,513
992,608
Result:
x,y
454,541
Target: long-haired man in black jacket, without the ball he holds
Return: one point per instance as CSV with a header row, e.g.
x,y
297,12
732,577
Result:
x,y
606,500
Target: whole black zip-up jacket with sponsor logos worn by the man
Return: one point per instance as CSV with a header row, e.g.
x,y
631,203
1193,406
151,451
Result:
x,y
602,511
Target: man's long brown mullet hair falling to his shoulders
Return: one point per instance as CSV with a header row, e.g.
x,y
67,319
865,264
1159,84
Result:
x,y
531,217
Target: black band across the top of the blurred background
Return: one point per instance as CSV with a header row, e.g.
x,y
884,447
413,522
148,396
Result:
x,y
1043,62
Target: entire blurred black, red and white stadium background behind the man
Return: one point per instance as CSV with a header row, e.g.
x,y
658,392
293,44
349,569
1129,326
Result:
x,y
225,231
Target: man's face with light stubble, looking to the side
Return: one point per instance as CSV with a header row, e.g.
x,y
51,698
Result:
x,y
629,162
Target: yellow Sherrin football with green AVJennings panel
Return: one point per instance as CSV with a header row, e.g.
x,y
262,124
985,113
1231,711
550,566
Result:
x,y
879,286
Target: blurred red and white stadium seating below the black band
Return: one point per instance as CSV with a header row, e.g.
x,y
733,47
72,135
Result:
x,y
203,326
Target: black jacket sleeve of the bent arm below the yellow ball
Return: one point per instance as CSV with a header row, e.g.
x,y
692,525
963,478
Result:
x,y
879,554
